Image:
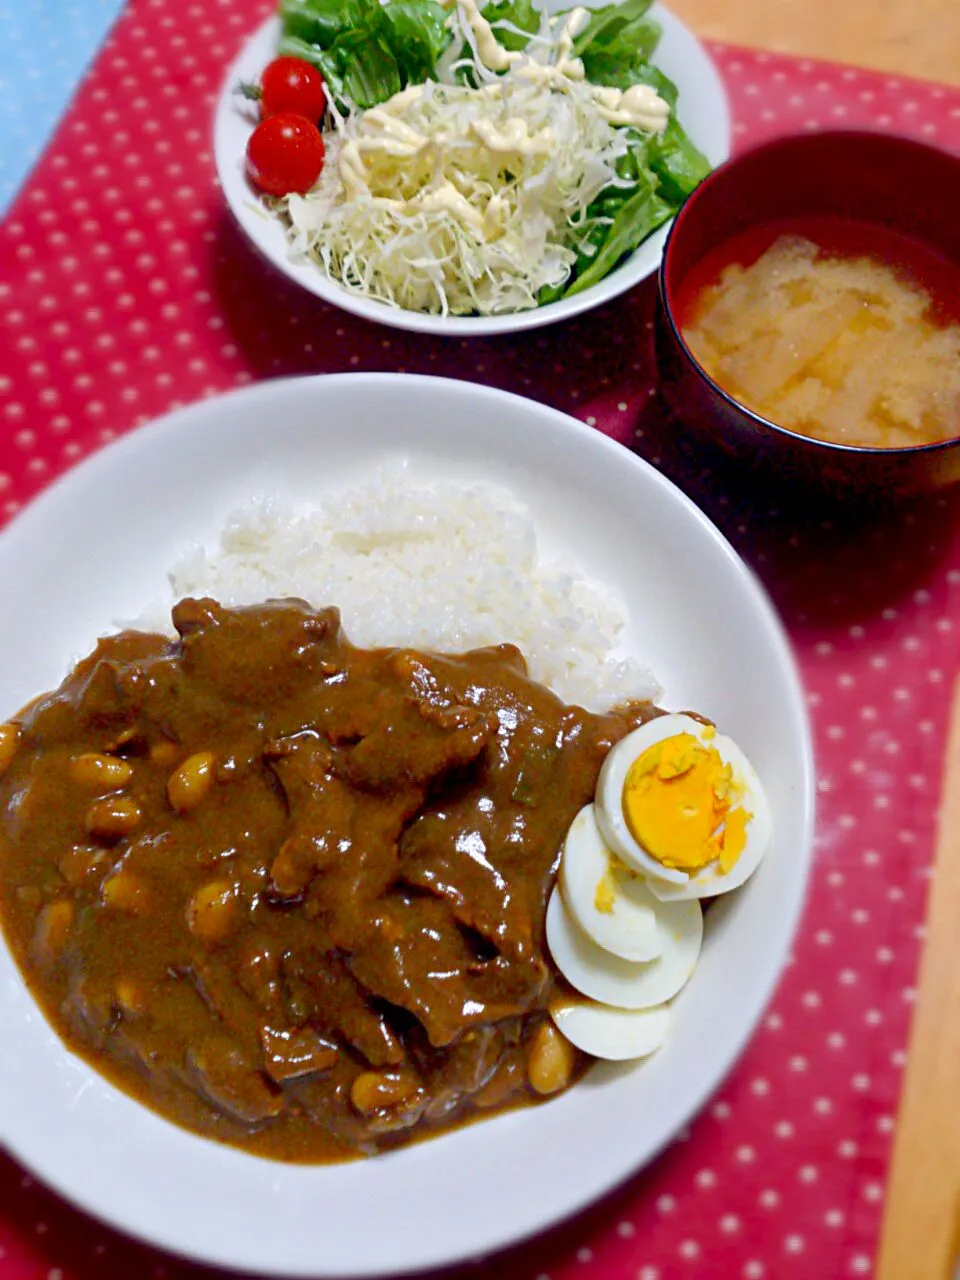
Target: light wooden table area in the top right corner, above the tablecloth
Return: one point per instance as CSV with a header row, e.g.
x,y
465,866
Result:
x,y
911,38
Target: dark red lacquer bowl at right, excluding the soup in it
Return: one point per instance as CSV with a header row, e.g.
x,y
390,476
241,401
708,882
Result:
x,y
890,182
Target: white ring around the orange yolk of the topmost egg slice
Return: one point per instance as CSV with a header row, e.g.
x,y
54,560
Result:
x,y
666,883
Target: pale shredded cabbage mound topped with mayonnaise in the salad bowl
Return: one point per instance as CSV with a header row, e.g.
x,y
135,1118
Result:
x,y
461,200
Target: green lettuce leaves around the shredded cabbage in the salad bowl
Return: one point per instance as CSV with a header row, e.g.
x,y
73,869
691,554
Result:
x,y
368,51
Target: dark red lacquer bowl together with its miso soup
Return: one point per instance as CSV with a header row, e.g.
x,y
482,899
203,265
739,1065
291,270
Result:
x,y
810,317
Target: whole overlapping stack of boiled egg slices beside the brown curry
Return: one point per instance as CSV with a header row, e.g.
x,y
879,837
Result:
x,y
680,815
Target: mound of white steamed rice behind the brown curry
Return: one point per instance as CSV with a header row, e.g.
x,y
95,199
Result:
x,y
444,569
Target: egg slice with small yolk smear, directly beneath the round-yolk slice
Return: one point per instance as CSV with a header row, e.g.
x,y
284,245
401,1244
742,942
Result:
x,y
609,900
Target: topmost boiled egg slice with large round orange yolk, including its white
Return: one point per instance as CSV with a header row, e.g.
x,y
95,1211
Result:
x,y
682,804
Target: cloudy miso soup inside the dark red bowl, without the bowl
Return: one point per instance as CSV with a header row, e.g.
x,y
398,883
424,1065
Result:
x,y
843,349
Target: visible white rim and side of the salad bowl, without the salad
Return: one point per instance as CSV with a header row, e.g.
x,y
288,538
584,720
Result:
x,y
702,108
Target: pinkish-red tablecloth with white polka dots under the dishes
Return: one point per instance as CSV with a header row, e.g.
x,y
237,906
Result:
x,y
126,291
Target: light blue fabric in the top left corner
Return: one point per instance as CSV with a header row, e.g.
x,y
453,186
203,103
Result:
x,y
45,48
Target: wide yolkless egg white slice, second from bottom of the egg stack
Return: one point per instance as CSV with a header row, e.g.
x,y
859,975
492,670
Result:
x,y
627,984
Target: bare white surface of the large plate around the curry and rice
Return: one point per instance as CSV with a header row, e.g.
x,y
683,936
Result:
x,y
697,615
